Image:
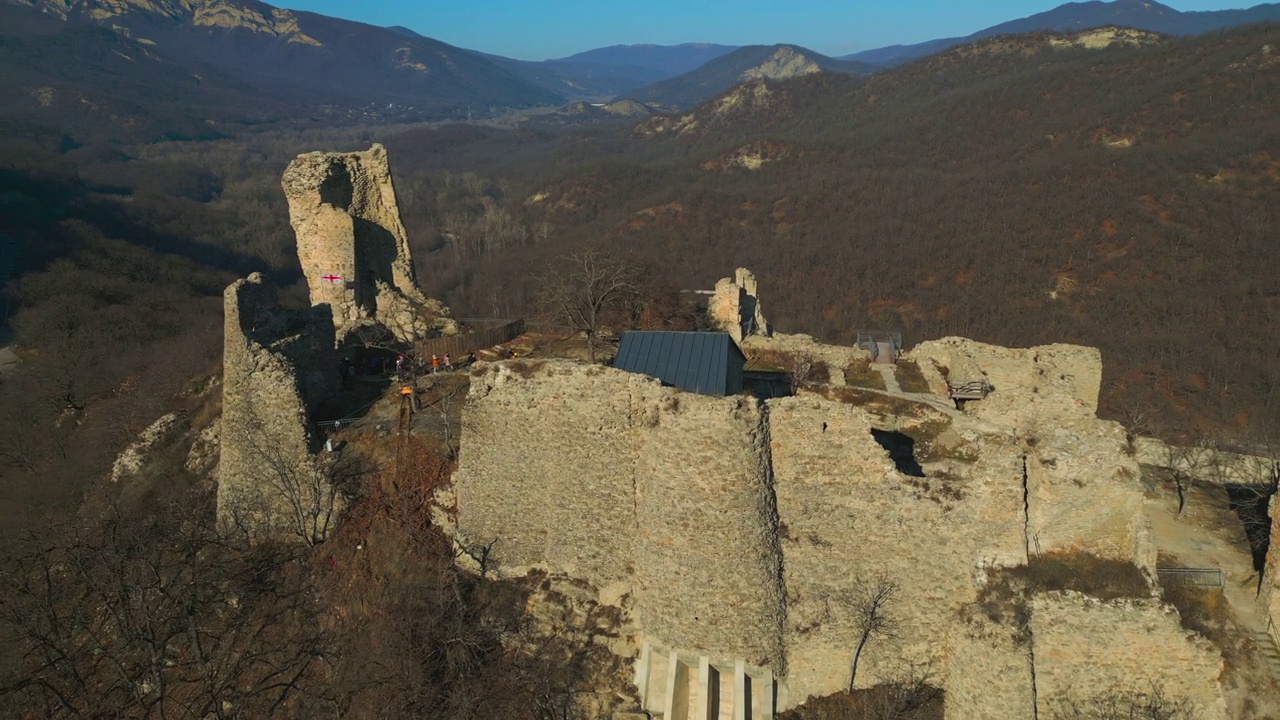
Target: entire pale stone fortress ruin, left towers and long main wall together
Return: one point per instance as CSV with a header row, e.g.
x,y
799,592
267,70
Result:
x,y
737,534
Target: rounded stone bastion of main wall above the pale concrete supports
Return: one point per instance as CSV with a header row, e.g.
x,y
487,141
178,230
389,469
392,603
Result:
x,y
707,557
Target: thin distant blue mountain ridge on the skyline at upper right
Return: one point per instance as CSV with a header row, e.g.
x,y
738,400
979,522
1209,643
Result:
x,y
1140,15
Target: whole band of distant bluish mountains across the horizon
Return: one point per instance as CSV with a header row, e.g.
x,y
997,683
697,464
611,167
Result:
x,y
259,60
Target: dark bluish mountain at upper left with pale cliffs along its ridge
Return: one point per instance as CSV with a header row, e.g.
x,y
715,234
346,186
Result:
x,y
336,60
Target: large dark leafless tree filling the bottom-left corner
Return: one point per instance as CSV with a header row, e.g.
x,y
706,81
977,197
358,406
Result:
x,y
158,618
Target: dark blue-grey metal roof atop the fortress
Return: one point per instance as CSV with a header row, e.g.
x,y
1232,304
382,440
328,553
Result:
x,y
703,363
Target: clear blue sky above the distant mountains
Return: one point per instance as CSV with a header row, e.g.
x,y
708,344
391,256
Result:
x,y
534,30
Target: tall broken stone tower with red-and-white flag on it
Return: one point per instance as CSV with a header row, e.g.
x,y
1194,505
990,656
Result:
x,y
353,247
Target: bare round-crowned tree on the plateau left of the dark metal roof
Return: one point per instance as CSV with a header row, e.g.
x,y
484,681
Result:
x,y
582,289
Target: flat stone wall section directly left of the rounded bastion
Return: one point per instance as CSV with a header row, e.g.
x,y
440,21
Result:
x,y
548,467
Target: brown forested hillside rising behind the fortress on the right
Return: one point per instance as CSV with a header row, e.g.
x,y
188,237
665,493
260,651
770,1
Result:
x,y
1011,192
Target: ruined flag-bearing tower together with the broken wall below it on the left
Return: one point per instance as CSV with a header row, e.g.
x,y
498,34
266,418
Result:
x,y
281,367
